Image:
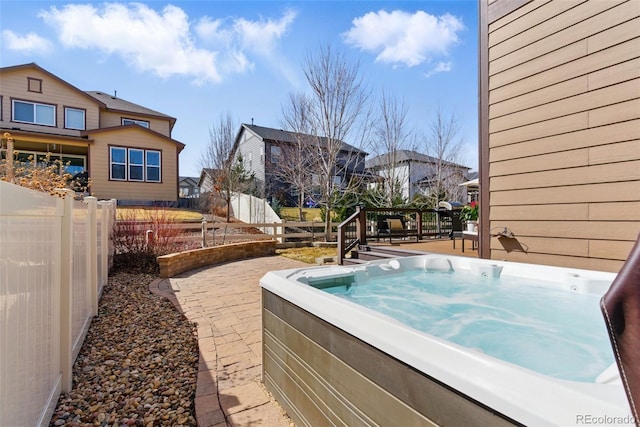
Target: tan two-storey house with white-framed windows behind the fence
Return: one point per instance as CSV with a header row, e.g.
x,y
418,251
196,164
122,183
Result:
x,y
126,149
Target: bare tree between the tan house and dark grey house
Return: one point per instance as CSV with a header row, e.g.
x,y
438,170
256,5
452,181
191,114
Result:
x,y
226,167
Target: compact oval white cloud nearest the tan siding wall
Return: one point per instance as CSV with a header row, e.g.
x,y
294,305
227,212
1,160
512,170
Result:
x,y
402,38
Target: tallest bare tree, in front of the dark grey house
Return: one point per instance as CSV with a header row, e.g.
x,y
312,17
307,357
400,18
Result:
x,y
338,103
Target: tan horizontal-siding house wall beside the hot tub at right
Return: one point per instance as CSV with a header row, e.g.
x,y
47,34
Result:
x,y
560,131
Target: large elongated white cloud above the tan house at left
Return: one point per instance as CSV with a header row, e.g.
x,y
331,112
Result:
x,y
164,42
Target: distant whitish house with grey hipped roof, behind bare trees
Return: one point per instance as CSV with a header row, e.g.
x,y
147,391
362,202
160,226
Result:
x,y
415,172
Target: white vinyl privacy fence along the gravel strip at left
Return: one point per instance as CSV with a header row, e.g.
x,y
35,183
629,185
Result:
x,y
54,258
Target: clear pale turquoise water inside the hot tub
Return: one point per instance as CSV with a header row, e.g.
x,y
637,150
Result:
x,y
550,331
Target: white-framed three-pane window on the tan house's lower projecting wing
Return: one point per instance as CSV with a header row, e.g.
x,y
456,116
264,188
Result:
x,y
134,164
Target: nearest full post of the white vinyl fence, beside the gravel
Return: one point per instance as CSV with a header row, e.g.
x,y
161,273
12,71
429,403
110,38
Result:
x,y
66,305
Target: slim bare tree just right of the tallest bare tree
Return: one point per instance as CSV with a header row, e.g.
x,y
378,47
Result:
x,y
392,135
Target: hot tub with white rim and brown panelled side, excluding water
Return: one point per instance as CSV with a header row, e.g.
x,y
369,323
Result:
x,y
330,361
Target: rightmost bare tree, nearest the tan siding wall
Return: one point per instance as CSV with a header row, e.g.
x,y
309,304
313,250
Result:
x,y
444,145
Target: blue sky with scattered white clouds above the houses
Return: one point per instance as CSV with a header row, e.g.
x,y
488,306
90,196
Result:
x,y
198,60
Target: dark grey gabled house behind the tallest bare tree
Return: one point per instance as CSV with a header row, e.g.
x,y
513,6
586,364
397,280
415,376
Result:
x,y
263,152
